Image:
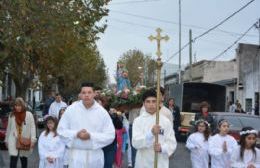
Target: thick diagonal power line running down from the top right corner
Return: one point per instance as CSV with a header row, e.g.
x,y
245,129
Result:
x,y
214,27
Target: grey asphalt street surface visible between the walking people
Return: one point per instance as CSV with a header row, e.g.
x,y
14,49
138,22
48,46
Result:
x,y
180,159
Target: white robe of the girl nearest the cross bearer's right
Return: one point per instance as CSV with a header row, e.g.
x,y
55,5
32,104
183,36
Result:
x,y
199,150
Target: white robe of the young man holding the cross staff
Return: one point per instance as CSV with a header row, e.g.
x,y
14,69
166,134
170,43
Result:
x,y
143,141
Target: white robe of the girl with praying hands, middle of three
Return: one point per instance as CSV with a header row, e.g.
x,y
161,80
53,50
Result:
x,y
219,158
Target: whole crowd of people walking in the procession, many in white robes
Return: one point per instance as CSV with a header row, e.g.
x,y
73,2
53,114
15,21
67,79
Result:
x,y
89,134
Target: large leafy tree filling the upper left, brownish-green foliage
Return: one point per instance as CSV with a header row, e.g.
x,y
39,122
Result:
x,y
51,38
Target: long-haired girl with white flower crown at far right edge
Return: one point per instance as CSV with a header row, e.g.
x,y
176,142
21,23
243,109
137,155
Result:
x,y
246,155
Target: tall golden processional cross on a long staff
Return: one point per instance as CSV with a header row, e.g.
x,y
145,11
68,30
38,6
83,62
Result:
x,y
159,64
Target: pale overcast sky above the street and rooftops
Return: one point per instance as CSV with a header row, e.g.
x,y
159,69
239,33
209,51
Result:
x,y
131,22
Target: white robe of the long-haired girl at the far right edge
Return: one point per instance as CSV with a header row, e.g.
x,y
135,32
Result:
x,y
249,158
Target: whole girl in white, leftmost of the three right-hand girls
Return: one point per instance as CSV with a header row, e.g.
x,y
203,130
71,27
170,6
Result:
x,y
197,143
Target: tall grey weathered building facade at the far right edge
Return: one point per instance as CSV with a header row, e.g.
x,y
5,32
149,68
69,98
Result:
x,y
248,56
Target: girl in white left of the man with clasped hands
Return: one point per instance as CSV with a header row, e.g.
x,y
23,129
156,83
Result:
x,y
51,148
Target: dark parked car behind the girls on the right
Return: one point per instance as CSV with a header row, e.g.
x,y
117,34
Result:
x,y
237,122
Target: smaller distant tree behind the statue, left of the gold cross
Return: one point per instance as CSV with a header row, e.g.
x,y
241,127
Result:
x,y
138,64
